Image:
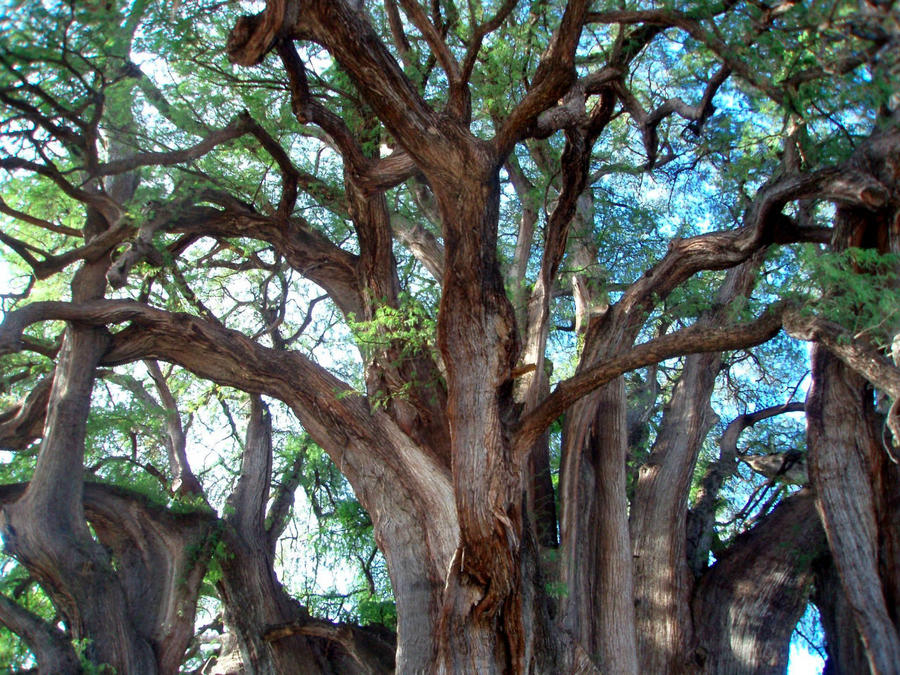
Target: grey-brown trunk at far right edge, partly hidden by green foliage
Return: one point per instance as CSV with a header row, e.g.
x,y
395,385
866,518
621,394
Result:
x,y
851,463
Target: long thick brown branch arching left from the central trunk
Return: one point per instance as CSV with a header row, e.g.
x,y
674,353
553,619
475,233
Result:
x,y
334,414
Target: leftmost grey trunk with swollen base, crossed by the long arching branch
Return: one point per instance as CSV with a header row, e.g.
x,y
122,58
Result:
x,y
46,528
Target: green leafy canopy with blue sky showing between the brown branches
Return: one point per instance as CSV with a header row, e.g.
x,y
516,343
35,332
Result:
x,y
705,177
